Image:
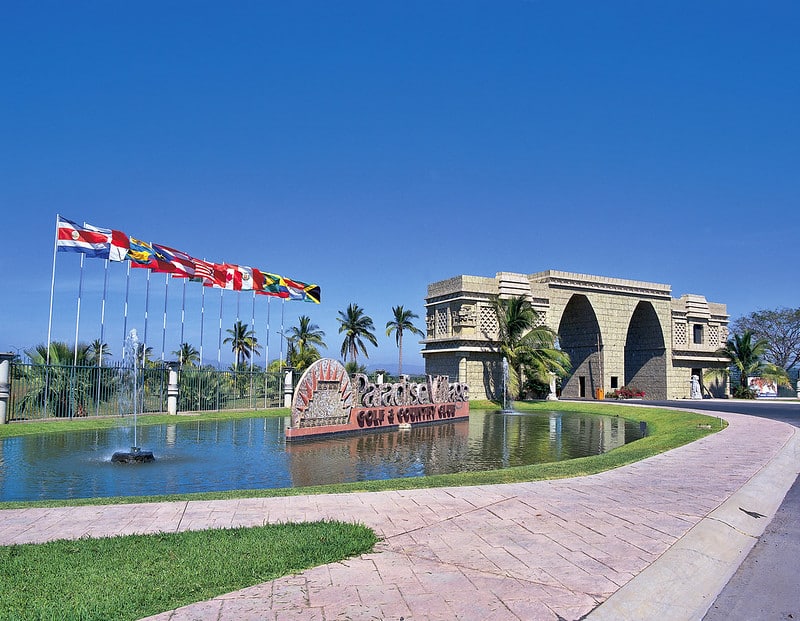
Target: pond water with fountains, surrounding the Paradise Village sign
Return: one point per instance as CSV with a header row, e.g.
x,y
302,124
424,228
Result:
x,y
202,456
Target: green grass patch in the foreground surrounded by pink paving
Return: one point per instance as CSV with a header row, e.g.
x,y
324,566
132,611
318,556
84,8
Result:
x,y
136,576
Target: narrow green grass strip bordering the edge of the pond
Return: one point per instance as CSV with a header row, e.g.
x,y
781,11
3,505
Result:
x,y
667,429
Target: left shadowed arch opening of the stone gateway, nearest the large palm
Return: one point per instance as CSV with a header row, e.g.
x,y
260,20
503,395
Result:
x,y
579,336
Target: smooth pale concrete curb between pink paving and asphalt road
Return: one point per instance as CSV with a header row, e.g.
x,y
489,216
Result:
x,y
684,582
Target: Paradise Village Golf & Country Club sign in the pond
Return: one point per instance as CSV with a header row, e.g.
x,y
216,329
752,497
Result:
x,y
326,402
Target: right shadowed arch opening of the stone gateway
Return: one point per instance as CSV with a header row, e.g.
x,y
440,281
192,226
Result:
x,y
646,353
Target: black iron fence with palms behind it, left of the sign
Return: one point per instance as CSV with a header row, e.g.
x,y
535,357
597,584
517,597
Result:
x,y
66,391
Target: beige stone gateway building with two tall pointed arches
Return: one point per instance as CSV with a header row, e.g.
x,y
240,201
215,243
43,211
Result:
x,y
617,332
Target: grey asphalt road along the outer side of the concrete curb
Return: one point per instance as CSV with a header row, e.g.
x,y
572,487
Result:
x,y
767,584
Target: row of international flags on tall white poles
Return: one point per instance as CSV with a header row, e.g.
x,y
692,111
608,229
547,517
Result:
x,y
115,246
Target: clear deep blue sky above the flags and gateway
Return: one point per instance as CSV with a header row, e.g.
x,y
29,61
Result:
x,y
375,147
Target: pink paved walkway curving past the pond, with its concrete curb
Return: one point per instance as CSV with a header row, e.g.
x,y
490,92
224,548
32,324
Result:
x,y
655,539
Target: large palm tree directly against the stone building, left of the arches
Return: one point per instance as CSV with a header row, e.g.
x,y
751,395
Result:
x,y
528,346
